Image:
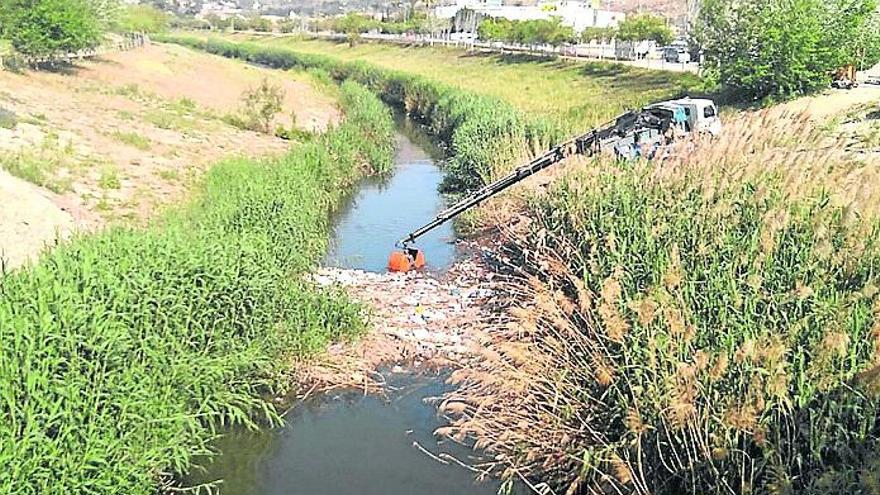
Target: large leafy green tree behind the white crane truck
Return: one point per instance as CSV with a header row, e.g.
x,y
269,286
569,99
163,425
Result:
x,y
780,48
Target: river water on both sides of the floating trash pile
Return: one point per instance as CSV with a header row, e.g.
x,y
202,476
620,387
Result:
x,y
350,443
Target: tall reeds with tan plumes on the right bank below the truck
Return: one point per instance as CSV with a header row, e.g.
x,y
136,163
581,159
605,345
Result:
x,y
705,324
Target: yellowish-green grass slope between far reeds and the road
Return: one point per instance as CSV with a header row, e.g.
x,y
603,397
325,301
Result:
x,y
573,94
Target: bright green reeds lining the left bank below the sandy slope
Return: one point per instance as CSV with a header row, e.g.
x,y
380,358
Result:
x,y
123,351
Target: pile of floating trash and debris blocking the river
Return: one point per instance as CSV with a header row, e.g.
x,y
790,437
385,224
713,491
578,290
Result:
x,y
419,321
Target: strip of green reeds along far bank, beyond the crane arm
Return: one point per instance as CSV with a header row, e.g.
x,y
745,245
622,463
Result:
x,y
485,135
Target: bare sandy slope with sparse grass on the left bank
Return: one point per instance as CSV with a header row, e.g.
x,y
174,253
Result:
x,y
119,138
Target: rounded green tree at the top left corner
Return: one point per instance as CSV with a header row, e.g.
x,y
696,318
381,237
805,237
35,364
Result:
x,y
52,27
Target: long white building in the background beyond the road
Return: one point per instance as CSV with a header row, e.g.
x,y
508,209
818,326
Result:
x,y
577,14
